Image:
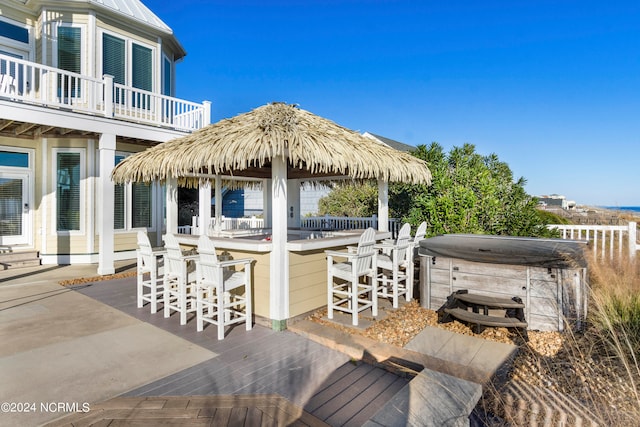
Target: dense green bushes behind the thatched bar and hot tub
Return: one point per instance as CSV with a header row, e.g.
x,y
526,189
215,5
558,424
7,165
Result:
x,y
469,193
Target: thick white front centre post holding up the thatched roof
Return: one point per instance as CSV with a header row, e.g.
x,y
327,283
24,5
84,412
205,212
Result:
x,y
279,268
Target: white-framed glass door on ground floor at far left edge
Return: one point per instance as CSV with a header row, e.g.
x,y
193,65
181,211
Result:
x,y
14,209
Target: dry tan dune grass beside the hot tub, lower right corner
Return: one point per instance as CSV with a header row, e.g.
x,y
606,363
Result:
x,y
597,367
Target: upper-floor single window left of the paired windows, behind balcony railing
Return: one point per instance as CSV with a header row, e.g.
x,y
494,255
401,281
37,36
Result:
x,y
69,59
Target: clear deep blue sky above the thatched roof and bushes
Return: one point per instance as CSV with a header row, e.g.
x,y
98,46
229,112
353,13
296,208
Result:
x,y
551,87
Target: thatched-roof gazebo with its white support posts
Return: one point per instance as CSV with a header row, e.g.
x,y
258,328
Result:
x,y
277,143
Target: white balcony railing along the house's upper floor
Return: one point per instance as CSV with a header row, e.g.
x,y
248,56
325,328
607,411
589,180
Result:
x,y
28,82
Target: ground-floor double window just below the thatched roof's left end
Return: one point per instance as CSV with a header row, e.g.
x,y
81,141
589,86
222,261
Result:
x,y
132,204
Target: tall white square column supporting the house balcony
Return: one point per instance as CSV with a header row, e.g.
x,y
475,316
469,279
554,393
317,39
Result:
x,y
107,152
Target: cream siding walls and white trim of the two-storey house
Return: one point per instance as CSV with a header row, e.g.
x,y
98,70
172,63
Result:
x,y
42,20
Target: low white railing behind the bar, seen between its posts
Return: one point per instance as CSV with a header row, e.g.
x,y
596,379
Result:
x,y
308,223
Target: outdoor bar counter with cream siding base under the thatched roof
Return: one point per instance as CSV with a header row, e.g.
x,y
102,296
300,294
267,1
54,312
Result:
x,y
307,287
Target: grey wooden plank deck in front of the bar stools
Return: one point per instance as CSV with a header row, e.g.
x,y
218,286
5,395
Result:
x,y
322,382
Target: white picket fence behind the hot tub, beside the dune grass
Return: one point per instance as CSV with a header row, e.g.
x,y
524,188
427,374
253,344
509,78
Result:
x,y
604,238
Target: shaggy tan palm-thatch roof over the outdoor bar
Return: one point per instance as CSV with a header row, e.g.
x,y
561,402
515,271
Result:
x,y
243,146
